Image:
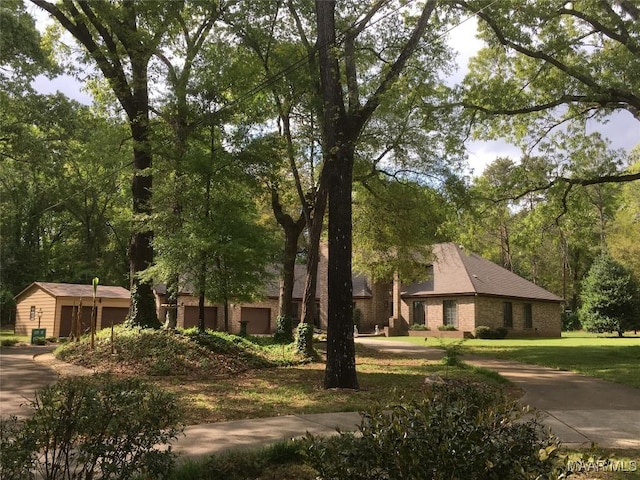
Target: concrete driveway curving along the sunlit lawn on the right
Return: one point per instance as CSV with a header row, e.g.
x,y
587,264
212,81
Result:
x,y
580,410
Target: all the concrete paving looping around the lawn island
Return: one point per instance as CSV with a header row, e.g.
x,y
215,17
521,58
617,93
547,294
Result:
x,y
581,410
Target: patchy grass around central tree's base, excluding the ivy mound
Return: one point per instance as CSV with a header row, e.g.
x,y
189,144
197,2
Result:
x,y
299,389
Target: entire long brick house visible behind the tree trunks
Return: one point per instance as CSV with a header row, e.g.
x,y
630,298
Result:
x,y
462,289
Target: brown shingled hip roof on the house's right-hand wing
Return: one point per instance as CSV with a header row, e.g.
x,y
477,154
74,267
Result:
x,y
457,272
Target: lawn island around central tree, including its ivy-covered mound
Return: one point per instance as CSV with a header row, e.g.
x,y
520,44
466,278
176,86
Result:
x,y
219,377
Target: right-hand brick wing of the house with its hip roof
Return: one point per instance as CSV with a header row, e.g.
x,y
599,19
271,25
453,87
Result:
x,y
465,290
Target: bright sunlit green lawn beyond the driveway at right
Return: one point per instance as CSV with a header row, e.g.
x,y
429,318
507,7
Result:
x,y
606,357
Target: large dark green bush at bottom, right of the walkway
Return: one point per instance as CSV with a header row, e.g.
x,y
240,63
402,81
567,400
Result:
x,y
460,431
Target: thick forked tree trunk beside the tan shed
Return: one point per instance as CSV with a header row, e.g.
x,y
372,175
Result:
x,y
108,37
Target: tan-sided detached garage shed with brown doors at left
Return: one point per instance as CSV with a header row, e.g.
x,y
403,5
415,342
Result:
x,y
54,306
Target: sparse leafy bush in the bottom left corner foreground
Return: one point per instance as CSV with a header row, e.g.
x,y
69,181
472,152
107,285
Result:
x,y
92,428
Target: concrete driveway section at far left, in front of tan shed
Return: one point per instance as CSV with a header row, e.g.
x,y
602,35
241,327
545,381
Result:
x,y
20,377
